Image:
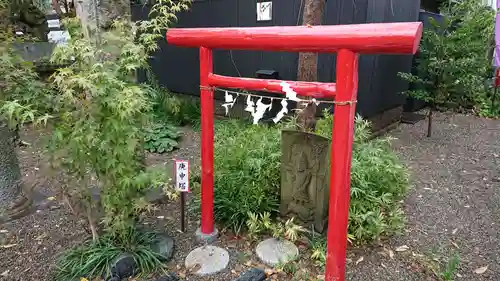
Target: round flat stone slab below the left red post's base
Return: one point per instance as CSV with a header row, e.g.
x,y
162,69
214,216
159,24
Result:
x,y
207,260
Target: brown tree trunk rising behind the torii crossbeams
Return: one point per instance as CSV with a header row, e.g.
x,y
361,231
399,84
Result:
x,y
308,65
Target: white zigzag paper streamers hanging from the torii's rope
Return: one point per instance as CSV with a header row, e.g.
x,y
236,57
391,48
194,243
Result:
x,y
258,109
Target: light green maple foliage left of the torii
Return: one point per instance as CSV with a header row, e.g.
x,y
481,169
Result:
x,y
102,113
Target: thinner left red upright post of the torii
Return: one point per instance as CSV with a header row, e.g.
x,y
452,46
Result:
x,y
207,142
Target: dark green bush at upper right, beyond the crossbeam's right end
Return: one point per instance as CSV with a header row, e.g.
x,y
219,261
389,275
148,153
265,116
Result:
x,y
454,60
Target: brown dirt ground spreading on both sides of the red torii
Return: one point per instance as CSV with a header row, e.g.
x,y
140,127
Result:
x,y
452,211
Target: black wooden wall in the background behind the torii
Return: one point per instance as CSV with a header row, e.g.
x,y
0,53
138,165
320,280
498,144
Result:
x,y
379,86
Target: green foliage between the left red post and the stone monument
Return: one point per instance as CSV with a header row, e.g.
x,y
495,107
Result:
x,y
246,172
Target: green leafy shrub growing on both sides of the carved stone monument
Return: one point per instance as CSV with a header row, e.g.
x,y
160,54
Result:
x,y
247,177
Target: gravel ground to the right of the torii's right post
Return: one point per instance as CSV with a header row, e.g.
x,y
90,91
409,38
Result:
x,y
453,207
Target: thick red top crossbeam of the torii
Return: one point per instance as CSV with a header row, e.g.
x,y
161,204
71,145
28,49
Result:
x,y
375,38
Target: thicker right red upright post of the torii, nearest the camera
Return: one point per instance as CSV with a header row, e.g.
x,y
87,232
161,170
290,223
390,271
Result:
x,y
340,164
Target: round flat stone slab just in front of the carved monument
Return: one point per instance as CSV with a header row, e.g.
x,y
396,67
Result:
x,y
276,251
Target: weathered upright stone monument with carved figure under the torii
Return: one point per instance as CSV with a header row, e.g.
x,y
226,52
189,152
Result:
x,y
304,177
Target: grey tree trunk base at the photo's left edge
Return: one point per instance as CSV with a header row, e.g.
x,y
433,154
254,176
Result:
x,y
13,203
